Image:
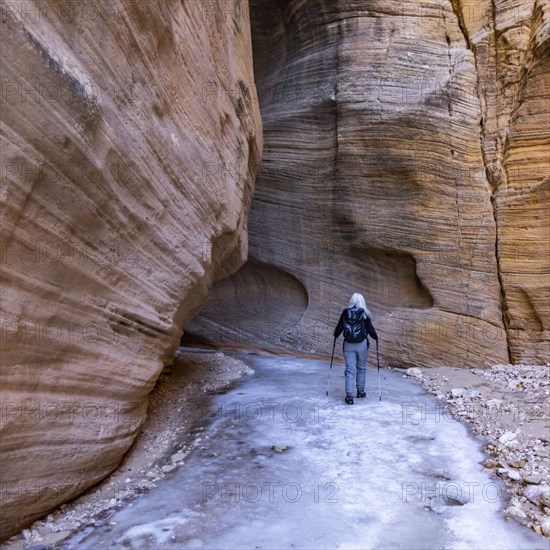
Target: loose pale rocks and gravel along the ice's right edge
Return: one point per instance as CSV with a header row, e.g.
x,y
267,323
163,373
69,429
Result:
x,y
508,406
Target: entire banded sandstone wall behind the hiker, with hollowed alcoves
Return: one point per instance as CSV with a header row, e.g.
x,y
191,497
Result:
x,y
406,155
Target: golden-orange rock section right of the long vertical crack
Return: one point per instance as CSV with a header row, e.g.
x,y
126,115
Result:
x,y
511,45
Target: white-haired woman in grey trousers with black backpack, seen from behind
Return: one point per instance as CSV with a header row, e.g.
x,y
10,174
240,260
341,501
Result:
x,y
356,324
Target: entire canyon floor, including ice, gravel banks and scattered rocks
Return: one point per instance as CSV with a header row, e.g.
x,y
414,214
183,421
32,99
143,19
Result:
x,y
214,432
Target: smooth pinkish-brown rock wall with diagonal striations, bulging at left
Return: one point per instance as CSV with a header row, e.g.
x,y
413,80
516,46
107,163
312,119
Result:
x,y
130,145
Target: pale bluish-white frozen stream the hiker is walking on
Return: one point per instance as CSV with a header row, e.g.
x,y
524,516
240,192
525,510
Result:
x,y
283,466
